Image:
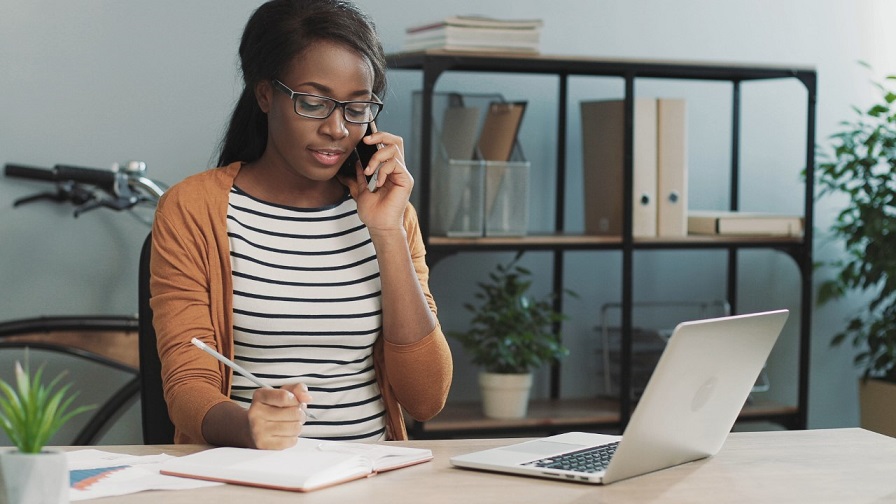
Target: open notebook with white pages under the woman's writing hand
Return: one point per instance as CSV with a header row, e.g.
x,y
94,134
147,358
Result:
x,y
309,465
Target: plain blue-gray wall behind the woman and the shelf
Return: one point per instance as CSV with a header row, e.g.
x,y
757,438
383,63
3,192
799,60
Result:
x,y
95,82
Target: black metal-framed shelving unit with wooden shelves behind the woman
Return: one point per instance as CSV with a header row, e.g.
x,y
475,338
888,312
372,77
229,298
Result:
x,y
557,413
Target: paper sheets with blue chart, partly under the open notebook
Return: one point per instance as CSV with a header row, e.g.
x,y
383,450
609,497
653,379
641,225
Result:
x,y
96,473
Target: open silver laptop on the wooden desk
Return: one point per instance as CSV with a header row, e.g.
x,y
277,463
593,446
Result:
x,y
699,386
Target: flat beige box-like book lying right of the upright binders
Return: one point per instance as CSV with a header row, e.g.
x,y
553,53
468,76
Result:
x,y
744,223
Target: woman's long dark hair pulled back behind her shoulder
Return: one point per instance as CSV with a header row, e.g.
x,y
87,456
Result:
x,y
278,32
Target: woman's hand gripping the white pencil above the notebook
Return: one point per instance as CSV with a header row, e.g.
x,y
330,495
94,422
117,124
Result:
x,y
276,416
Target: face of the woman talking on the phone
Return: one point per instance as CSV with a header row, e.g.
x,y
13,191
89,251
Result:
x,y
315,148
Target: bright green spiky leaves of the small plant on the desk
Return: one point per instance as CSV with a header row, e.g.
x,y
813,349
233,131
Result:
x,y
31,412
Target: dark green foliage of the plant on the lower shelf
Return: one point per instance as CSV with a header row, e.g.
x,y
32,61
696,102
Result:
x,y
511,332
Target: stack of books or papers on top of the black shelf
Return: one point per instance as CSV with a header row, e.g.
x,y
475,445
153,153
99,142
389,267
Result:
x,y
476,33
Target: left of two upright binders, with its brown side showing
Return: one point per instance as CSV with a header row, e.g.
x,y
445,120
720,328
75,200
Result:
x,y
603,130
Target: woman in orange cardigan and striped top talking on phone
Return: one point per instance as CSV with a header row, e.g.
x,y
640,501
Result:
x,y
301,274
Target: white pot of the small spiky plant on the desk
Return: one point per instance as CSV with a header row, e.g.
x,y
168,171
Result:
x,y
35,478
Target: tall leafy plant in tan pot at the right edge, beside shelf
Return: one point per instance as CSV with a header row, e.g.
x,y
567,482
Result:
x,y
862,166
